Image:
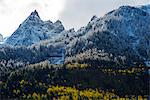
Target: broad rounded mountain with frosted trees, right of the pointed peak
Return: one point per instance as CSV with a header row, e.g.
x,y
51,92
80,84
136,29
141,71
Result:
x,y
120,36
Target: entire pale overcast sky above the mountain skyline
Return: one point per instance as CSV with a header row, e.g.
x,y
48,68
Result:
x,y
72,13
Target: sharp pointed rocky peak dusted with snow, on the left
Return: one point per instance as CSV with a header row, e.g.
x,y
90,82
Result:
x,y
33,30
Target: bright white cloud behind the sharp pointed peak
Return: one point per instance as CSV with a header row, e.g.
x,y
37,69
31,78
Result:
x,y
14,12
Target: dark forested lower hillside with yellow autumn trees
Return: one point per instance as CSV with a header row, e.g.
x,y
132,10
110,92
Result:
x,y
76,81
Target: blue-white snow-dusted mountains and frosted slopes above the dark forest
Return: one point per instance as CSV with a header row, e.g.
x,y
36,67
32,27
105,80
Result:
x,y
121,37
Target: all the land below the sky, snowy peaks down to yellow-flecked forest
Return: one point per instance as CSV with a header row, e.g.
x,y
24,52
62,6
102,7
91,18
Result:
x,y
108,59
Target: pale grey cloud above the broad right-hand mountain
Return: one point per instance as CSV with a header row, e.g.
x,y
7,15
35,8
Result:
x,y
78,12
